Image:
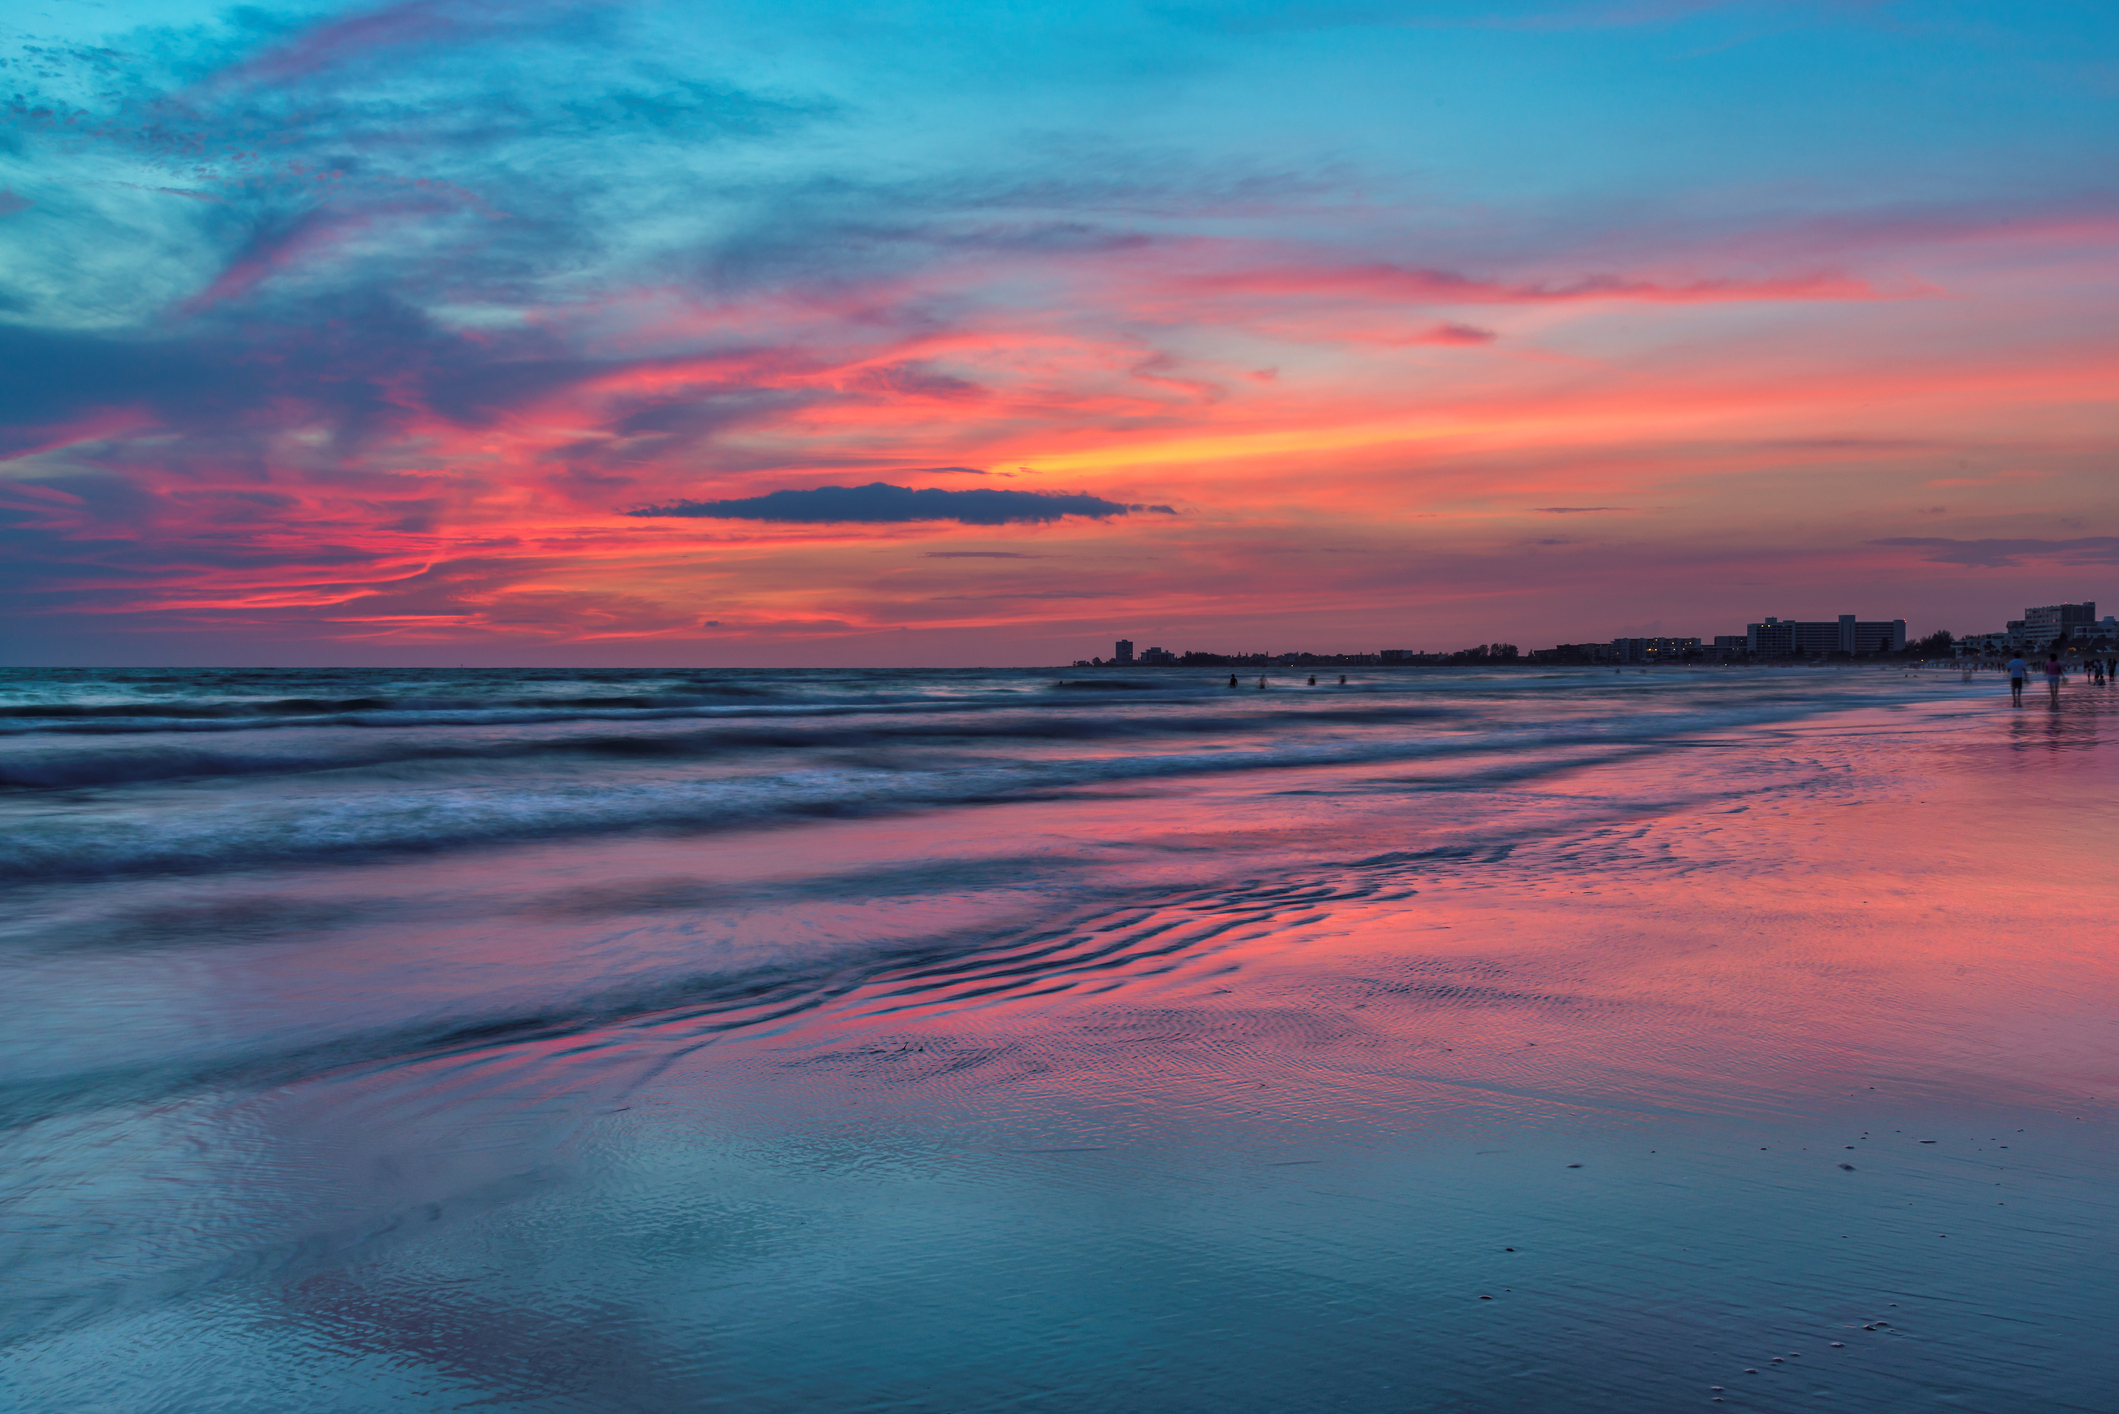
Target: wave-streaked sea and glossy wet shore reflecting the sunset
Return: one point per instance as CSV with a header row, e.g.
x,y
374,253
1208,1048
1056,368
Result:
x,y
1025,1042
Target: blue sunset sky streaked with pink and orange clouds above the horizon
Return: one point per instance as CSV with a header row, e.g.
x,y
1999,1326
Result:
x,y
902,334
